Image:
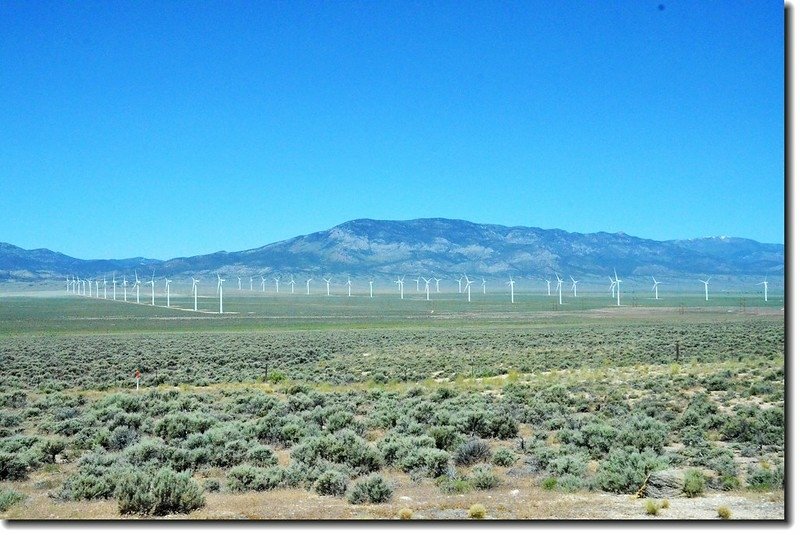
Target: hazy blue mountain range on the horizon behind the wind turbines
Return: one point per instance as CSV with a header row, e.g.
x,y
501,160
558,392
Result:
x,y
443,246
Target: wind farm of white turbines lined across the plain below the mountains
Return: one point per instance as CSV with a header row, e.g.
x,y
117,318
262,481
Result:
x,y
79,286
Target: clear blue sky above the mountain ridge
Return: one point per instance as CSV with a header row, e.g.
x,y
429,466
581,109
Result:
x,y
177,128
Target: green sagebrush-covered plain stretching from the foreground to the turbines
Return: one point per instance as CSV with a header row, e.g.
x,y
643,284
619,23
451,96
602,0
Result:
x,y
284,399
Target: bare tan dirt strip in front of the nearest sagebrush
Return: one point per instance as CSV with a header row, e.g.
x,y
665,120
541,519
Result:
x,y
516,498
